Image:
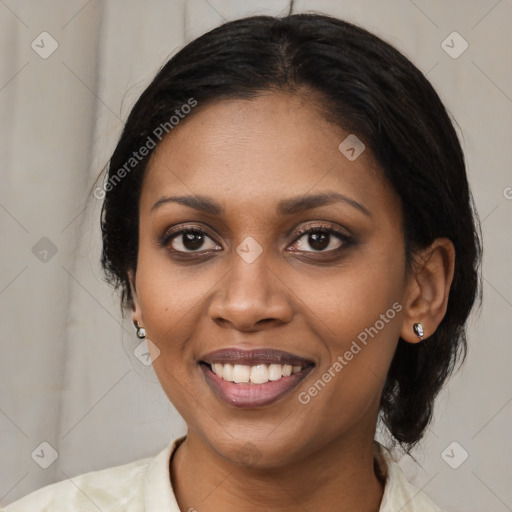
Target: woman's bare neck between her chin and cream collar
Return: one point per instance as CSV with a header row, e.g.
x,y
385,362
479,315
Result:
x,y
341,476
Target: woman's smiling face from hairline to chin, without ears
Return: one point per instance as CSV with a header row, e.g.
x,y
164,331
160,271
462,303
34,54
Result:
x,y
244,280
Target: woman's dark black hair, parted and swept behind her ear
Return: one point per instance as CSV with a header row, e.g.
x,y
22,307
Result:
x,y
365,86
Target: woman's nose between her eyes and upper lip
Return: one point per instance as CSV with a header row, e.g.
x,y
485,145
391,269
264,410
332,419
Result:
x,y
251,297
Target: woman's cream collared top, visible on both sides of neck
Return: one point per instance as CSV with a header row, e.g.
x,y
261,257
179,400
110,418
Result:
x,y
145,486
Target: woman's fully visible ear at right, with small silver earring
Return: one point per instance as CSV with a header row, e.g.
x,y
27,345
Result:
x,y
428,288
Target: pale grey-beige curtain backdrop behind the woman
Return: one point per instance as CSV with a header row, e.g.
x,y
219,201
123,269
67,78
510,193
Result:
x,y
69,73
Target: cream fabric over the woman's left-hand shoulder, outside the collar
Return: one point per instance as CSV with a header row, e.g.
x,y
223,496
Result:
x,y
113,489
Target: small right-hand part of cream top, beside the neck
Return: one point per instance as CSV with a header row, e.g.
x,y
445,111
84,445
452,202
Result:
x,y
399,493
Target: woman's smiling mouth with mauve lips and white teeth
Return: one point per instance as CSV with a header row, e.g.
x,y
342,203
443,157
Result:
x,y
254,378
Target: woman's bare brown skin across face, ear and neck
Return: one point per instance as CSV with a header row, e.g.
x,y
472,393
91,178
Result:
x,y
247,155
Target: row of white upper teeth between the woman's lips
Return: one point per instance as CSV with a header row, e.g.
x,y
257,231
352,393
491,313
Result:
x,y
258,374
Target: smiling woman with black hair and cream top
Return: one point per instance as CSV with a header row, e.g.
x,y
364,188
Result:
x,y
288,218
